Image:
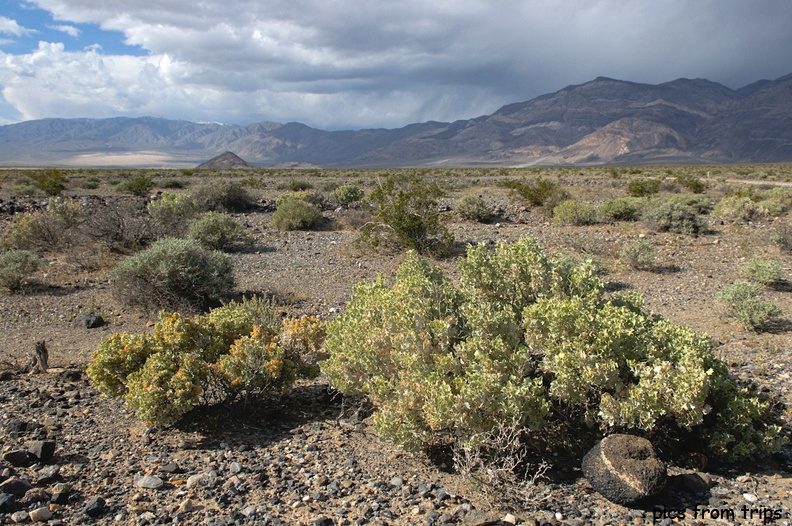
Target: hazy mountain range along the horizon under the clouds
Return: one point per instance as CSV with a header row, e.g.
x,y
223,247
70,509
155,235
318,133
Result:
x,y
604,121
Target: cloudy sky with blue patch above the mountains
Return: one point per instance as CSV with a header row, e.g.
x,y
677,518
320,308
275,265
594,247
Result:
x,y
352,64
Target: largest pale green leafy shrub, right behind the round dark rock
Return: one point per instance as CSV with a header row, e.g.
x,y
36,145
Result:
x,y
524,340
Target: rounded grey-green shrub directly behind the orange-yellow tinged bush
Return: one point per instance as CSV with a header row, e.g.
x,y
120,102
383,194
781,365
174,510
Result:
x,y
173,273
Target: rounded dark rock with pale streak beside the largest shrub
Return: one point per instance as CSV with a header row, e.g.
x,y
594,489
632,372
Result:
x,y
624,469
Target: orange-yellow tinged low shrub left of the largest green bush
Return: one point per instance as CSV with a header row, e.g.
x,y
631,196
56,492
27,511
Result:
x,y
233,351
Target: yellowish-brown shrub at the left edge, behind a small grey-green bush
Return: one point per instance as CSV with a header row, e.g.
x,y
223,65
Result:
x,y
49,229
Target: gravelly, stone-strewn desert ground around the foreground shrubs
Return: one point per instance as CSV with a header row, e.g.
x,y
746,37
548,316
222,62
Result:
x,y
301,459
